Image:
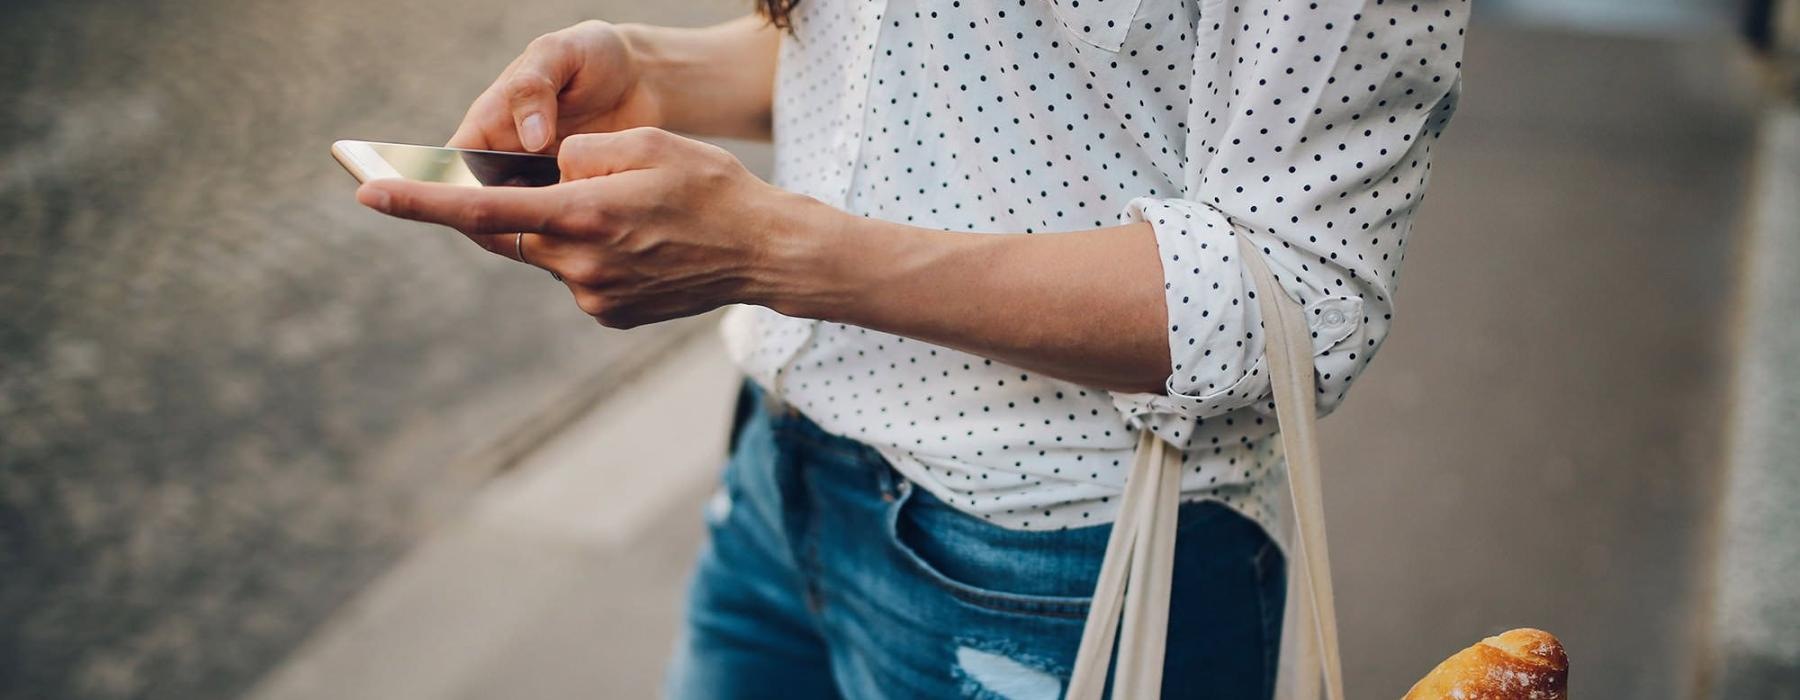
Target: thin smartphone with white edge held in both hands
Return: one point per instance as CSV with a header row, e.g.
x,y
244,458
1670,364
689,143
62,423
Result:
x,y
458,166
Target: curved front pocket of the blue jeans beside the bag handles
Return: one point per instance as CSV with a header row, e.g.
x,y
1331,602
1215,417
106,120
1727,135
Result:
x,y
993,562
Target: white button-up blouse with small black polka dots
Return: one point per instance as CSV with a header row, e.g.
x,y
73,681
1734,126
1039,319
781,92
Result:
x,y
1304,125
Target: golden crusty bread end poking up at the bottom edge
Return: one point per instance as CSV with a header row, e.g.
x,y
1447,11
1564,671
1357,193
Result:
x,y
1520,665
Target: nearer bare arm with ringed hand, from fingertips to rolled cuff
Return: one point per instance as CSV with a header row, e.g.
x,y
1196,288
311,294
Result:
x,y
651,226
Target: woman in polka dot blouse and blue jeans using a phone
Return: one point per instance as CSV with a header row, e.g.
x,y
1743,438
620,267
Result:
x,y
998,246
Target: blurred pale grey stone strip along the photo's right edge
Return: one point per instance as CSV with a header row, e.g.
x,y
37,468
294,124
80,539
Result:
x,y
1758,593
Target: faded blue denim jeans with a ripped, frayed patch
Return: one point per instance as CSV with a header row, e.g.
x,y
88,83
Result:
x,y
832,577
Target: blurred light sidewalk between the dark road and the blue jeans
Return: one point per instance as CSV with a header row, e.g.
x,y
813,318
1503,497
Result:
x,y
562,580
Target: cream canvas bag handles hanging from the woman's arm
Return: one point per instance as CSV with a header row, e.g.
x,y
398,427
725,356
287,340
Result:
x,y
1131,598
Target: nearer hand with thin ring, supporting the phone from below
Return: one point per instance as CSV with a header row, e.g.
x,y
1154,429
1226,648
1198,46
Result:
x,y
647,226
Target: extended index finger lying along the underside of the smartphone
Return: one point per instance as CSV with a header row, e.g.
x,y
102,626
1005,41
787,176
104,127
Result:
x,y
467,210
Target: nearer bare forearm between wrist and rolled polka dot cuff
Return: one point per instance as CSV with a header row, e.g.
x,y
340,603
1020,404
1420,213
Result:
x,y
1083,307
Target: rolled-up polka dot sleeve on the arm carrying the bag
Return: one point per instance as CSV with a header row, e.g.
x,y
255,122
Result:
x,y
1311,130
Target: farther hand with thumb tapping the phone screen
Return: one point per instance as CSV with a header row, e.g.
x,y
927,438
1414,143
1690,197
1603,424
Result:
x,y
579,80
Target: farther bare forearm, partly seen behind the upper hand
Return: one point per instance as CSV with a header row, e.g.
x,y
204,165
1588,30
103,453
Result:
x,y
715,82
